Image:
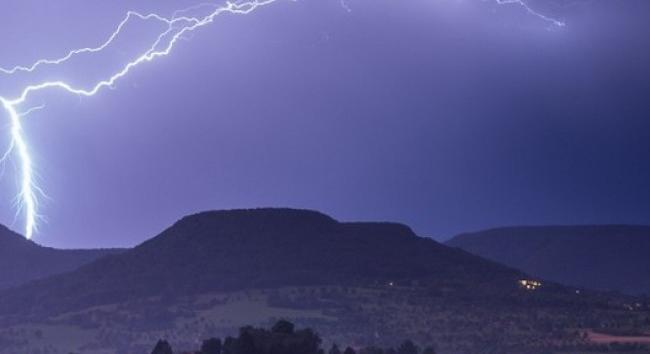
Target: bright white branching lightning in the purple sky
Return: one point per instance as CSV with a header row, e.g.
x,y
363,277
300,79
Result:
x,y
176,27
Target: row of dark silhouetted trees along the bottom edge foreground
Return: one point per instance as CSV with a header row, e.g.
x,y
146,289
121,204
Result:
x,y
283,338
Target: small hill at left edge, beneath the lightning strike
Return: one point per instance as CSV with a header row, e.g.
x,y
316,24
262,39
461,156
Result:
x,y
22,260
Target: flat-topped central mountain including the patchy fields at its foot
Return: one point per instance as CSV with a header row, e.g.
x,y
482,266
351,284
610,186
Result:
x,y
358,283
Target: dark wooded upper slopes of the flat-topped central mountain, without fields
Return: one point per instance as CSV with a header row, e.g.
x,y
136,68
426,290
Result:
x,y
263,248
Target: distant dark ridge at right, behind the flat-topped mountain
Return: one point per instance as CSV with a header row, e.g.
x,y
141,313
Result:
x,y
605,257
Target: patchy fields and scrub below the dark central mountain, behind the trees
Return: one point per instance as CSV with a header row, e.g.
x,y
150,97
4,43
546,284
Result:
x,y
348,316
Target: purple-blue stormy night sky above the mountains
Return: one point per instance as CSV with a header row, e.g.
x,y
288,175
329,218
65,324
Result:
x,y
447,115
